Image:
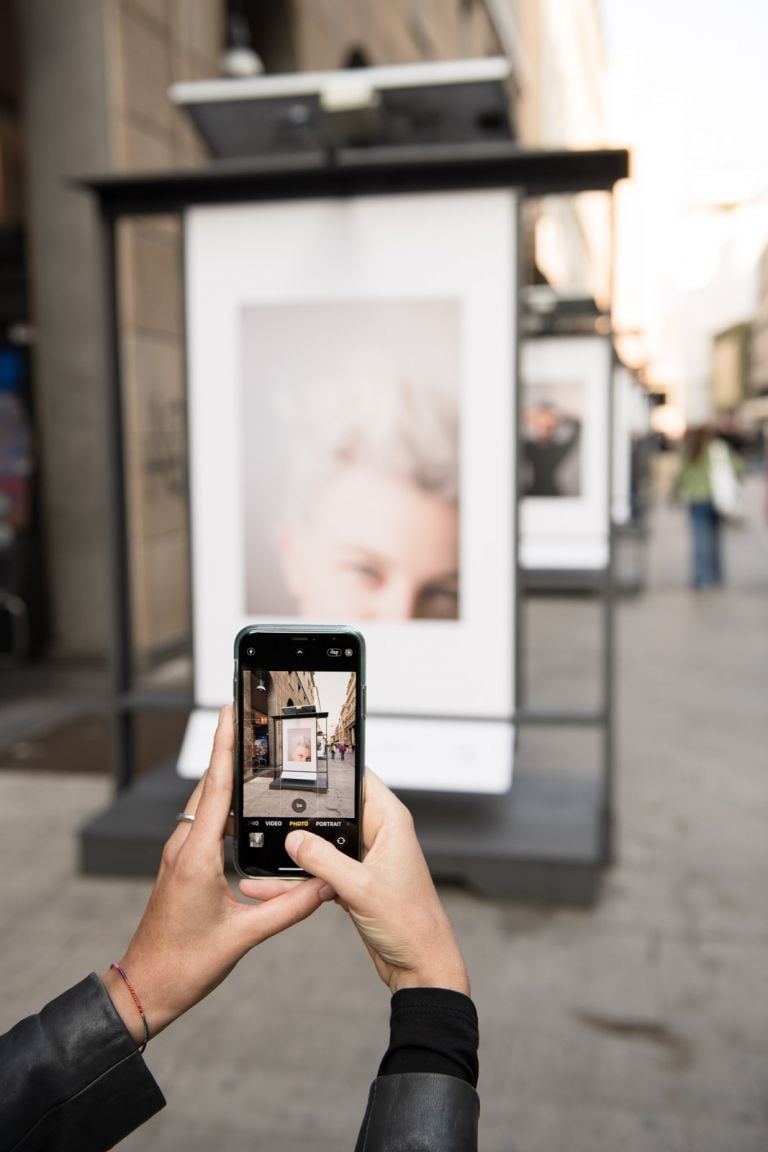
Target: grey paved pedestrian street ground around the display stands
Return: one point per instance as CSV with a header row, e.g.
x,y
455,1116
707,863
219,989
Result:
x,y
640,1026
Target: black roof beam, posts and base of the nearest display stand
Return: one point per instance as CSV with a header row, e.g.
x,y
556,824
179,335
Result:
x,y
549,843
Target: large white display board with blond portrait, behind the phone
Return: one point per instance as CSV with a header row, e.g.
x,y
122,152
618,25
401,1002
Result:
x,y
351,368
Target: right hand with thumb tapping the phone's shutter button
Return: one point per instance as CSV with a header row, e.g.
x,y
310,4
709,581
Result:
x,y
390,897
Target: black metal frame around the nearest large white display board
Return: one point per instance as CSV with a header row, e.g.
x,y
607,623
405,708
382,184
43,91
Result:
x,y
344,173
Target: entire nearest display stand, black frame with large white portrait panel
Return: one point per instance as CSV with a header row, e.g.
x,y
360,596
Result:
x,y
430,254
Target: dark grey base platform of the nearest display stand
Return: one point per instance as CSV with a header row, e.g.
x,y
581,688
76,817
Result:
x,y
541,843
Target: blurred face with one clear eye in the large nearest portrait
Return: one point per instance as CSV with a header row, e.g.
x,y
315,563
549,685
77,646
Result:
x,y
375,548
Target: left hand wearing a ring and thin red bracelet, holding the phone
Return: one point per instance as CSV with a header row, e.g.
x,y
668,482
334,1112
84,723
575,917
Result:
x,y
195,929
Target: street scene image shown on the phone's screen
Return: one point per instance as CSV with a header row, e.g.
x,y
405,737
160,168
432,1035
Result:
x,y
299,745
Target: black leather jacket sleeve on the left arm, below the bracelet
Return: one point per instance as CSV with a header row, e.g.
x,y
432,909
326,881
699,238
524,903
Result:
x,y
72,1079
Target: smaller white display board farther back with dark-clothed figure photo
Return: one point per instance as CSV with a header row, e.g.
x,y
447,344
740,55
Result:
x,y
565,467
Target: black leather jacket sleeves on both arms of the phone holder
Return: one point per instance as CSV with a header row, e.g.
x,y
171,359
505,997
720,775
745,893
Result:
x,y
72,1080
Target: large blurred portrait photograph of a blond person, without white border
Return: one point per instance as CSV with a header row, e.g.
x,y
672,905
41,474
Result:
x,y
359,420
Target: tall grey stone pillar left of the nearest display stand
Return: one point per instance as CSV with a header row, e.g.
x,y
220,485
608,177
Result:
x,y
67,134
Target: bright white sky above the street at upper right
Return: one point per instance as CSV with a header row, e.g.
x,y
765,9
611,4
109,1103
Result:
x,y
688,90
